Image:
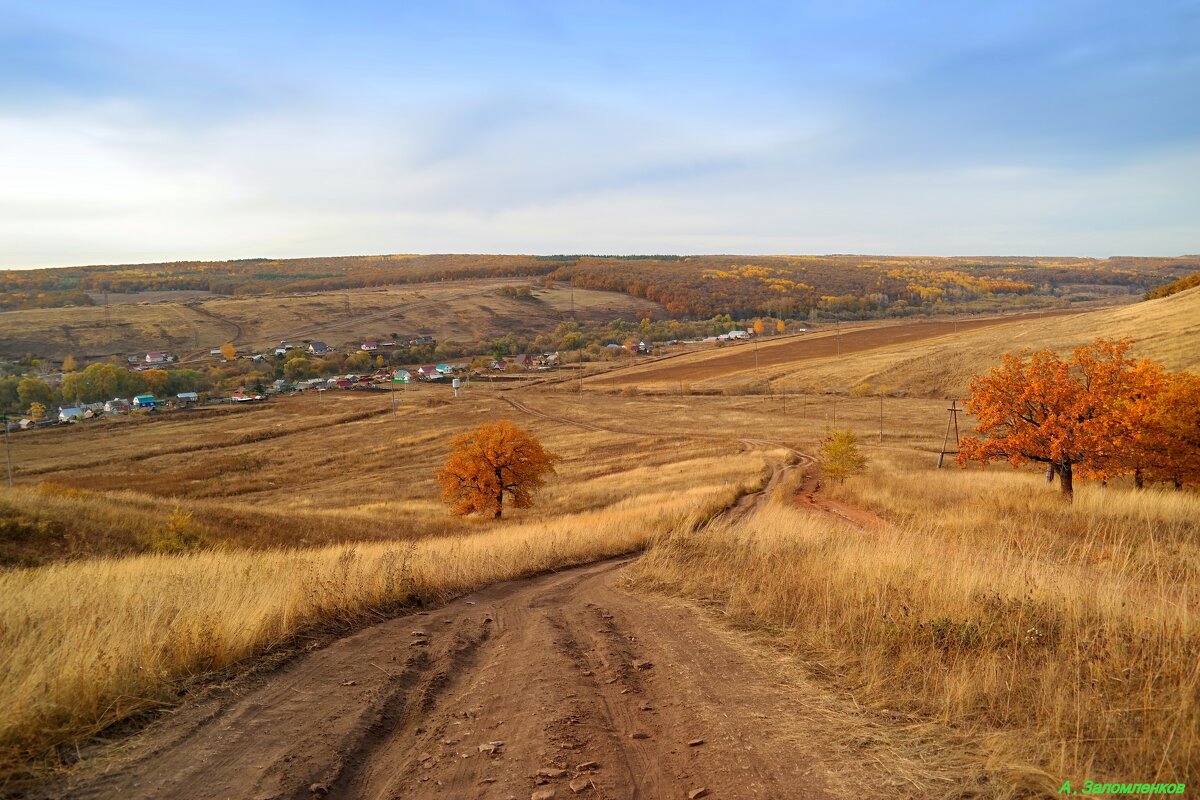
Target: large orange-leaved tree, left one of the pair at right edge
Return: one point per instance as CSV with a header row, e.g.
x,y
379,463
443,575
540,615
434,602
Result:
x,y
1057,412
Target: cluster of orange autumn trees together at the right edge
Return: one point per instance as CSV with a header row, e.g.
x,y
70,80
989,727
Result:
x,y
1101,414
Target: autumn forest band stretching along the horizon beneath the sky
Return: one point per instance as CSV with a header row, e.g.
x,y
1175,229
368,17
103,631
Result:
x,y
689,287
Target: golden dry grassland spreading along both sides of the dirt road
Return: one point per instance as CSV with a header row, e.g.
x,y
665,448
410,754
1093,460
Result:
x,y
988,628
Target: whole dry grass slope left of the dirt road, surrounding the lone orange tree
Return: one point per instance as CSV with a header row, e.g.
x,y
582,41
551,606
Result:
x,y
87,643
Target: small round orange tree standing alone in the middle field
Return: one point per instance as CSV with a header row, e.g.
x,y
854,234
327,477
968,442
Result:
x,y
495,460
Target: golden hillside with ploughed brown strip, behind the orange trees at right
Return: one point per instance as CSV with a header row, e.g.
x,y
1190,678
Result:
x,y
901,358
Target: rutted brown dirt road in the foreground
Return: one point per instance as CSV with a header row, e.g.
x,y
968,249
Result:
x,y
561,684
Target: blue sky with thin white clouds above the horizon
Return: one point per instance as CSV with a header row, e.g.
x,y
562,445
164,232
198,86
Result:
x,y
153,133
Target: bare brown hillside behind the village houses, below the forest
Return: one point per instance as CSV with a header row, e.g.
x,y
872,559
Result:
x,y
461,311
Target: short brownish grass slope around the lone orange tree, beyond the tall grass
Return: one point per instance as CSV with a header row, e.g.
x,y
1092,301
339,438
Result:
x,y
307,472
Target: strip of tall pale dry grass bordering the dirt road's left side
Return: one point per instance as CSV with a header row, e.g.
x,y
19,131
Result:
x,y
85,645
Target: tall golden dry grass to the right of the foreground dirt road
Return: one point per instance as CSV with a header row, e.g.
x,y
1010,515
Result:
x,y
1063,639
